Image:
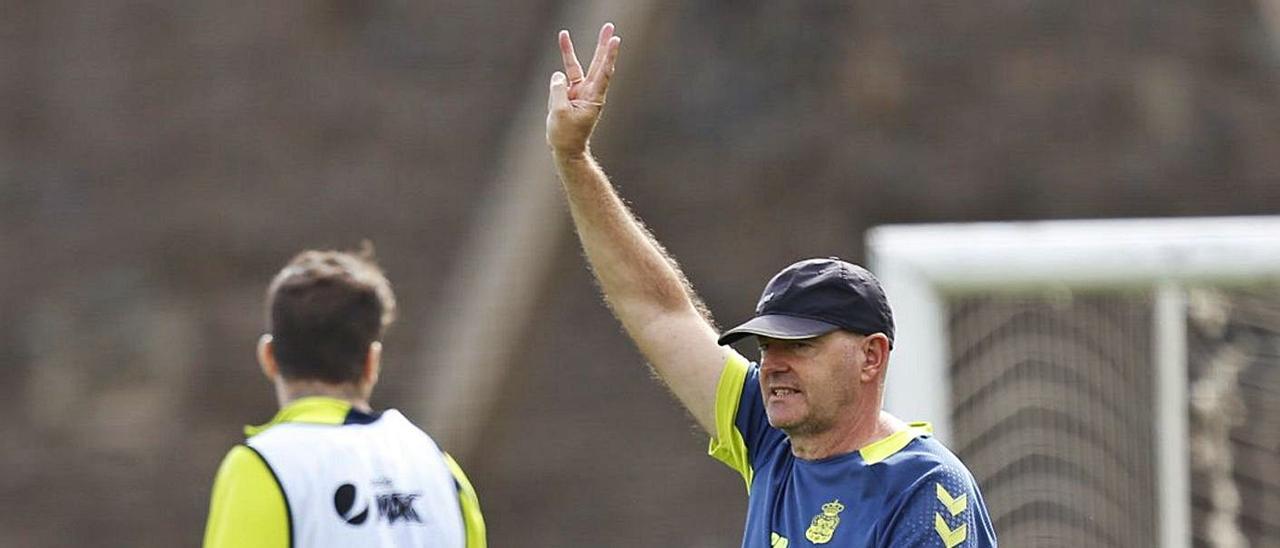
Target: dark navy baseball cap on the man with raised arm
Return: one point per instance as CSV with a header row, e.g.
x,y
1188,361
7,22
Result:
x,y
815,298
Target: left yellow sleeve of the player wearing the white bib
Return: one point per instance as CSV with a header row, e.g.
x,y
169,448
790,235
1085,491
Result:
x,y
248,509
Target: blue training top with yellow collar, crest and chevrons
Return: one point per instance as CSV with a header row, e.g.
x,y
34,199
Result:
x,y
902,491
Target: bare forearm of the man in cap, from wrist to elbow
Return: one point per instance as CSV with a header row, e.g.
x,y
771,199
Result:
x,y
638,277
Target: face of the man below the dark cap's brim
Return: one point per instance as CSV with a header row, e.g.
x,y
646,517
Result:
x,y
810,386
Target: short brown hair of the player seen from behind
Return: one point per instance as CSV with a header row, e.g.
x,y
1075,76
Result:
x,y
324,310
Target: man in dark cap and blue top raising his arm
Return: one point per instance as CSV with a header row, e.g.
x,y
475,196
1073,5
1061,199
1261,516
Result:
x,y
822,462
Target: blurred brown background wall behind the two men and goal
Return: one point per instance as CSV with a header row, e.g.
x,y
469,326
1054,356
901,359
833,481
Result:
x,y
159,162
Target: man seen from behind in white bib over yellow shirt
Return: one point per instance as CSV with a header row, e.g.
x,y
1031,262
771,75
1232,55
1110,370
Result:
x,y
330,471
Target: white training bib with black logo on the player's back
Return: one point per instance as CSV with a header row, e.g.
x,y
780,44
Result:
x,y
373,483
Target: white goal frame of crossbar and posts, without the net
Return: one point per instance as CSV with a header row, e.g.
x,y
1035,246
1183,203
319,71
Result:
x,y
922,266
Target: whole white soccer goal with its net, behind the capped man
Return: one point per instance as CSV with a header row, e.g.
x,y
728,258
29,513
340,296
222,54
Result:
x,y
1112,383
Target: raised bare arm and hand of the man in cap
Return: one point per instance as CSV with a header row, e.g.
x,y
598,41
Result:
x,y
642,284
